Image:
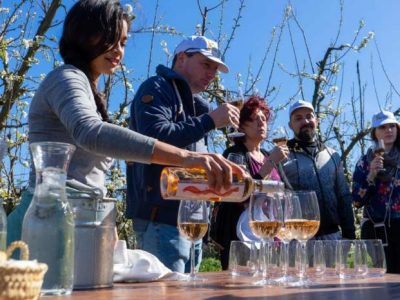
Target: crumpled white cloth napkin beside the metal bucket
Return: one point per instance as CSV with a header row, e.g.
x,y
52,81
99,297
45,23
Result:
x,y
139,266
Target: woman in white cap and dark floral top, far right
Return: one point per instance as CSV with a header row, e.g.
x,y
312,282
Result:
x,y
376,187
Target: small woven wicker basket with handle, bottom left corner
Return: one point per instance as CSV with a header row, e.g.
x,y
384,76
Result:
x,y
17,281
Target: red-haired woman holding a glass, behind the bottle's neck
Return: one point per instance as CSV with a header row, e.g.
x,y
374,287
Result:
x,y
254,117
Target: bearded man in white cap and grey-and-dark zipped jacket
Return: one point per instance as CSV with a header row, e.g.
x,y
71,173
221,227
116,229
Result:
x,y
314,166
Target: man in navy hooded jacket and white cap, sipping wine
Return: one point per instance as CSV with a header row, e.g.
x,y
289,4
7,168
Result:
x,y
168,107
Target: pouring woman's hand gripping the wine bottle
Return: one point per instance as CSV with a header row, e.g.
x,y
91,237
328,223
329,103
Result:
x,y
219,170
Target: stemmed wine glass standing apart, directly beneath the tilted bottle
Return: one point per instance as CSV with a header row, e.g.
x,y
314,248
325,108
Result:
x,y
193,225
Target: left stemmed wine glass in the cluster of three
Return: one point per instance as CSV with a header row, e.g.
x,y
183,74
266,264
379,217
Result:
x,y
265,220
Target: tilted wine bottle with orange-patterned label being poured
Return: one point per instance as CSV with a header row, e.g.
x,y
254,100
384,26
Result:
x,y
191,184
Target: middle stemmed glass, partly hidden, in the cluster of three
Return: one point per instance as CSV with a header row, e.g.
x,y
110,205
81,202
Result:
x,y
284,235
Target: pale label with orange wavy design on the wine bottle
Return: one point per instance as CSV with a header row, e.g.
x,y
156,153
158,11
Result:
x,y
199,191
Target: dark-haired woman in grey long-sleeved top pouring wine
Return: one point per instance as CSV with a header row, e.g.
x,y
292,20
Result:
x,y
68,108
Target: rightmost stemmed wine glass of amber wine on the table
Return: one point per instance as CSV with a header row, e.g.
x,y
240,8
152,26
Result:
x,y
302,224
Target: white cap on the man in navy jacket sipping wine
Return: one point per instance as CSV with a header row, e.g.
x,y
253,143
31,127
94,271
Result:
x,y
205,46
